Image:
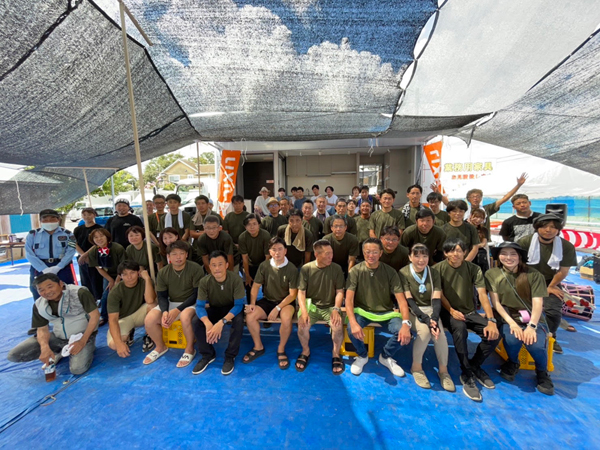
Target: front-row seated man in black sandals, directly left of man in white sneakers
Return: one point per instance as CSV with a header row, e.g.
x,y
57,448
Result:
x,y
320,296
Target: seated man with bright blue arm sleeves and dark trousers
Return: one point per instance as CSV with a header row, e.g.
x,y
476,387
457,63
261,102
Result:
x,y
224,292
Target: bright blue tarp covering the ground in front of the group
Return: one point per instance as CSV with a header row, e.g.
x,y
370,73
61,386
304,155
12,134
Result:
x,y
120,403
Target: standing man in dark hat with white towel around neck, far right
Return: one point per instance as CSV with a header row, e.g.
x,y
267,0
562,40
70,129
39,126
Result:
x,y
551,255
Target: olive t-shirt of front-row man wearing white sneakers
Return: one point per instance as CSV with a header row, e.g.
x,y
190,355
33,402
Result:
x,y
374,288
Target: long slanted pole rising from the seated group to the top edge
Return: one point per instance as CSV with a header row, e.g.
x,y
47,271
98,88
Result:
x,y
136,141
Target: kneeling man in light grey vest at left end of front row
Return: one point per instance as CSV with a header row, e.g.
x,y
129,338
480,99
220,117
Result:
x,y
71,310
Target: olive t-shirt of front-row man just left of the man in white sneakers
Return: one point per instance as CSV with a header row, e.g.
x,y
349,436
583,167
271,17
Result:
x,y
321,284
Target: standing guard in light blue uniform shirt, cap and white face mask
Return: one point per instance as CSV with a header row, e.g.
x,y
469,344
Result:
x,y
50,249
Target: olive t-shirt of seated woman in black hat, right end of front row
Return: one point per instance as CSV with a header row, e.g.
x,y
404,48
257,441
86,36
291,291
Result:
x,y
501,282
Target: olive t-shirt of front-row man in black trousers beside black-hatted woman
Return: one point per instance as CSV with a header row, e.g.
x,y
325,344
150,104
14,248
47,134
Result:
x,y
457,284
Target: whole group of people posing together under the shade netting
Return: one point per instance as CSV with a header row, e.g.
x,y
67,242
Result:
x,y
410,270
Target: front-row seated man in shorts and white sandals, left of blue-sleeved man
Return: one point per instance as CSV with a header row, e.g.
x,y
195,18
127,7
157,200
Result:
x,y
176,288
